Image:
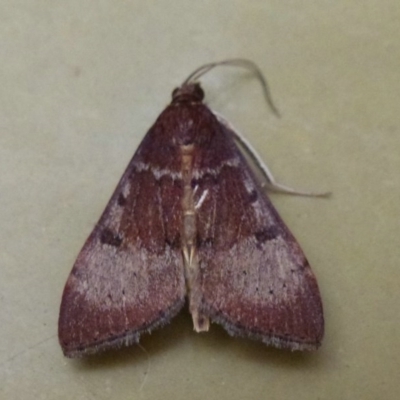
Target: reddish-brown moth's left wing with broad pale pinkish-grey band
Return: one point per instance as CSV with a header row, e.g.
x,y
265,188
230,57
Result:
x,y
128,278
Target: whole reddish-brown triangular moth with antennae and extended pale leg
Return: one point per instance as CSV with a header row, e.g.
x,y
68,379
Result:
x,y
190,220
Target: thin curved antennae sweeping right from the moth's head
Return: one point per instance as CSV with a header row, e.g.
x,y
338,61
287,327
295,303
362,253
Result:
x,y
236,62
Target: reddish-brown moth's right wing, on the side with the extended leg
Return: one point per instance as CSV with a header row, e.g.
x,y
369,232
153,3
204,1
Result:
x,y
254,279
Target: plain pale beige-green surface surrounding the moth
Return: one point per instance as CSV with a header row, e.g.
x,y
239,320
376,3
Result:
x,y
82,81
